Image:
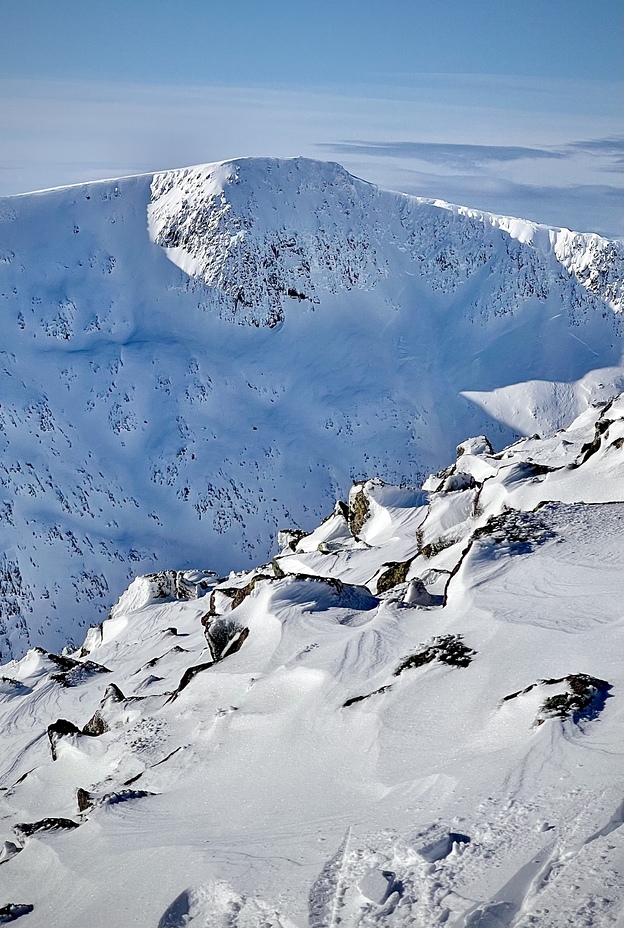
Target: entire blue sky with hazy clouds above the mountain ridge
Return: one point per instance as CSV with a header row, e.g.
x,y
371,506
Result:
x,y
508,106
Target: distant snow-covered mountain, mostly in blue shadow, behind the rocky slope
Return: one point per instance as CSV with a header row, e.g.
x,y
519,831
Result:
x,y
140,428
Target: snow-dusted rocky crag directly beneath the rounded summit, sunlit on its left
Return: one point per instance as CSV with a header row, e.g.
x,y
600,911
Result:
x,y
210,223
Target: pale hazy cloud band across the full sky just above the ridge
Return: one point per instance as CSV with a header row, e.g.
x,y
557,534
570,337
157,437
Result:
x,y
526,161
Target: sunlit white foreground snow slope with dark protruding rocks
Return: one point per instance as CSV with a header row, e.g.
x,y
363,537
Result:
x,y
411,717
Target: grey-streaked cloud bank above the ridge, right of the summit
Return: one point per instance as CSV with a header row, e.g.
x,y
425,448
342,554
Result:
x,y
569,184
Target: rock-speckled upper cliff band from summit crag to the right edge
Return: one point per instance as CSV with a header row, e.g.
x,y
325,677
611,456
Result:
x,y
258,231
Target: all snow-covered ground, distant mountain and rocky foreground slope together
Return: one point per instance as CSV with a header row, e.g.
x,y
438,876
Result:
x,y
280,647
